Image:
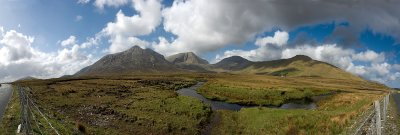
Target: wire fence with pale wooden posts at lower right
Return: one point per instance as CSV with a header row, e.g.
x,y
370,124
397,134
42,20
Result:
x,y
373,123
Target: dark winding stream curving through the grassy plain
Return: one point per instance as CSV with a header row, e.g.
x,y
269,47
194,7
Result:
x,y
220,105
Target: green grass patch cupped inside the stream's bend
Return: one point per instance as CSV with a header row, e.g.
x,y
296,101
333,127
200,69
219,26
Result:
x,y
255,96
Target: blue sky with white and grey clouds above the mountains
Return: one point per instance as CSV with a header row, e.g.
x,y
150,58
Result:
x,y
48,38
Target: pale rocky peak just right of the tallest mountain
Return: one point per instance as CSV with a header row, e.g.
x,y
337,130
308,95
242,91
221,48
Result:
x,y
187,58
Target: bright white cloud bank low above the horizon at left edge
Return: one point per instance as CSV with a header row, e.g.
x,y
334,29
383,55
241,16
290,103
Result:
x,y
19,59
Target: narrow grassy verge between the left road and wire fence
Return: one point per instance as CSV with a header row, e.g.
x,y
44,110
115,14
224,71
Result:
x,y
12,116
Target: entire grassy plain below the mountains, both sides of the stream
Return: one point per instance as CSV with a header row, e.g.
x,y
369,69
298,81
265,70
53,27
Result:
x,y
148,103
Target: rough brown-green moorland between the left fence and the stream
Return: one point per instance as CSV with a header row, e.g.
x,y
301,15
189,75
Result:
x,y
141,105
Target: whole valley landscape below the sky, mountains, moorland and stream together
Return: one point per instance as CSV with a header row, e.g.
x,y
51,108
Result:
x,y
140,92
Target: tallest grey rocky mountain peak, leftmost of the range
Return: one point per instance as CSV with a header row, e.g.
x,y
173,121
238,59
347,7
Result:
x,y
134,59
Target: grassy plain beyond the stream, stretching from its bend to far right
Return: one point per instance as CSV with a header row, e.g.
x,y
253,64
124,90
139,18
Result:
x,y
271,90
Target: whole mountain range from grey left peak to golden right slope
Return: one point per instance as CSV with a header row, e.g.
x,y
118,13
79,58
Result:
x,y
141,60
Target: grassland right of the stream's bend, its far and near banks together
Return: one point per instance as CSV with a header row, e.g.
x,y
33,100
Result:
x,y
334,115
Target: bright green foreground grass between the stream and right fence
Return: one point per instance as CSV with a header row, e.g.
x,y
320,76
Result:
x,y
326,120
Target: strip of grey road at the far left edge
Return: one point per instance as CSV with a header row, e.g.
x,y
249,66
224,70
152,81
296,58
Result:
x,y
5,94
